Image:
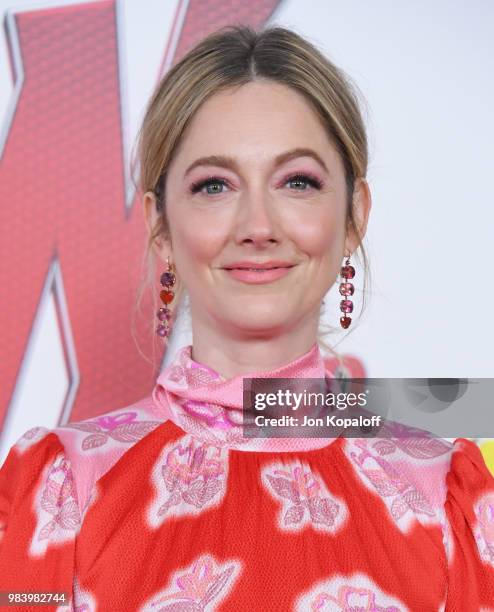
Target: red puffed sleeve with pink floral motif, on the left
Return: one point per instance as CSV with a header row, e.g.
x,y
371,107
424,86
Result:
x,y
39,518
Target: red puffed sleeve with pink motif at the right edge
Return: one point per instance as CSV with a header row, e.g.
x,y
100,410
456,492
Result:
x,y
469,537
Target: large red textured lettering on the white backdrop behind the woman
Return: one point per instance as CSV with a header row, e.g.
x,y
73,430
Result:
x,y
63,195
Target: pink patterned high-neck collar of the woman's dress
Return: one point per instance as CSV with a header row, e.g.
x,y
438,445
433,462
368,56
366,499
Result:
x,y
203,403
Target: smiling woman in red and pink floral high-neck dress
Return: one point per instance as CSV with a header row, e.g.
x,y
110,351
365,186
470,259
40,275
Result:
x,y
253,154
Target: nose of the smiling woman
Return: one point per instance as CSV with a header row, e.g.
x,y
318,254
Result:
x,y
257,218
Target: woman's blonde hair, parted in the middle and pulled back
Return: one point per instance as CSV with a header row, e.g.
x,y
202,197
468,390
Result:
x,y
227,58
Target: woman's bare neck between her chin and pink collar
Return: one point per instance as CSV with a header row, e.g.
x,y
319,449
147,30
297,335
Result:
x,y
233,356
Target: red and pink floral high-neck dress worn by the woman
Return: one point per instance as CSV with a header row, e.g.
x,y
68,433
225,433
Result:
x,y
164,505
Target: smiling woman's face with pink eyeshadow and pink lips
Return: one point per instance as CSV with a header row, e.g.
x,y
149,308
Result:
x,y
255,141
